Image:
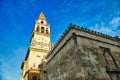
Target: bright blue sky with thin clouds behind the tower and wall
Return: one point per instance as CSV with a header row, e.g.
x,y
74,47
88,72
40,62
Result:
x,y
17,18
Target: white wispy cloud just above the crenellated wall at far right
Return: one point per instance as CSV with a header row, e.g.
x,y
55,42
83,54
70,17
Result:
x,y
105,28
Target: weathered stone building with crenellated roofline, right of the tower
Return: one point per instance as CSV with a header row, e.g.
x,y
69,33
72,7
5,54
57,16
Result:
x,y
78,56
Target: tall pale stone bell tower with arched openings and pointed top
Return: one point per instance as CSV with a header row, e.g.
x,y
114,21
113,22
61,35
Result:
x,y
39,47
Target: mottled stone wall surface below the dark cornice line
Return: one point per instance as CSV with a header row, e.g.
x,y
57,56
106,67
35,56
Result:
x,y
83,61
